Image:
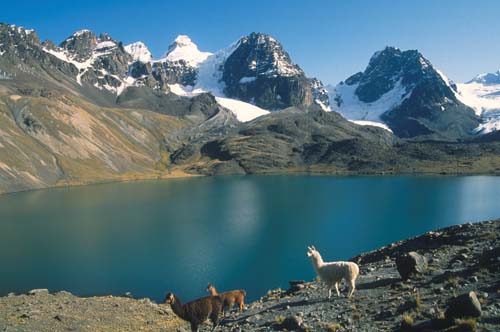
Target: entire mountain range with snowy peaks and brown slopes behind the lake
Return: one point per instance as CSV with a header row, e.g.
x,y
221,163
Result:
x,y
92,109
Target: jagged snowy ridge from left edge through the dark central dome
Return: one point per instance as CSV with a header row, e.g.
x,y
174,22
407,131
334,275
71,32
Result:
x,y
251,77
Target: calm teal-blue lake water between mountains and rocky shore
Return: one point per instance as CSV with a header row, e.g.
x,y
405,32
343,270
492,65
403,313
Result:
x,y
246,232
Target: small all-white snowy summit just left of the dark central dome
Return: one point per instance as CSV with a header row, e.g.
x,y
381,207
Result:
x,y
183,49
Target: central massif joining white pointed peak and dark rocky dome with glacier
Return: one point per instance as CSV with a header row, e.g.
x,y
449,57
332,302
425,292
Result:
x,y
250,77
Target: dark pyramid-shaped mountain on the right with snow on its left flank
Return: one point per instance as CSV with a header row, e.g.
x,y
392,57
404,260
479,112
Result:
x,y
403,90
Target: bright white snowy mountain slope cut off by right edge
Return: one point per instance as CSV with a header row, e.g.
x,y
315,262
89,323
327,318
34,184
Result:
x,y
482,93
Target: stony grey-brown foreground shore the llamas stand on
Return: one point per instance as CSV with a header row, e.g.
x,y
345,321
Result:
x,y
460,259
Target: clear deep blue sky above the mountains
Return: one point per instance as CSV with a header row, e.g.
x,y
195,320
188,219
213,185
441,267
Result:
x,y
328,39
